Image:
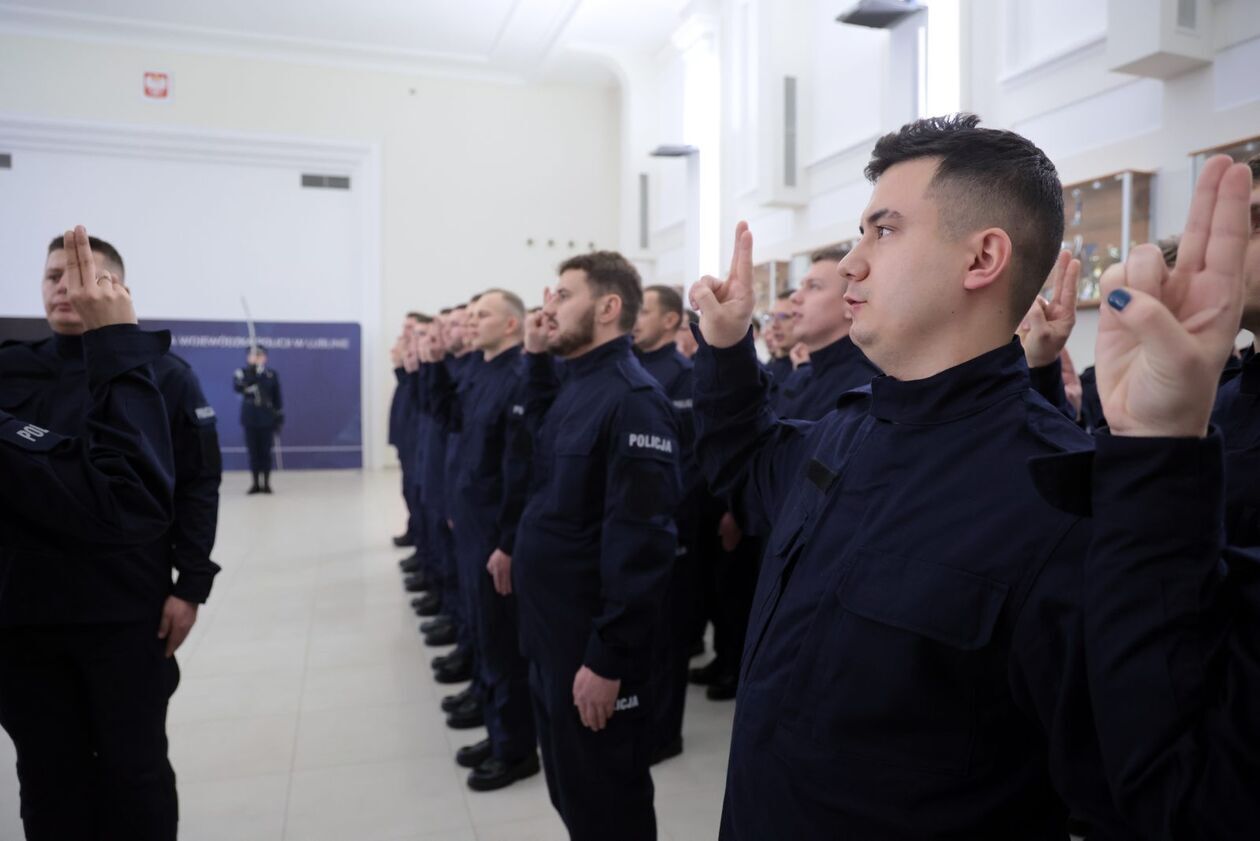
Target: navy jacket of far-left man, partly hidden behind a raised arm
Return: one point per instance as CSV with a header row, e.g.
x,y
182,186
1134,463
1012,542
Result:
x,y
46,383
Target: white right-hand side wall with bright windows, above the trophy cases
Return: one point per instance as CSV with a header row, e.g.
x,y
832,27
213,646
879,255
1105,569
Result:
x,y
1034,66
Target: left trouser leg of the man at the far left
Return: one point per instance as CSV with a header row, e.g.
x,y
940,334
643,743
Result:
x,y
43,708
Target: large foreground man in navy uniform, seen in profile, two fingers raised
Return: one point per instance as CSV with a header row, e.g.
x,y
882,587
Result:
x,y
917,636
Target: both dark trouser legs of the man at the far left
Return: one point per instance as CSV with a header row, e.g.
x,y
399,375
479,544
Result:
x,y
67,694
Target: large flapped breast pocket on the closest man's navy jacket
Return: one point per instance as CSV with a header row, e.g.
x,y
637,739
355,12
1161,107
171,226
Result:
x,y
905,665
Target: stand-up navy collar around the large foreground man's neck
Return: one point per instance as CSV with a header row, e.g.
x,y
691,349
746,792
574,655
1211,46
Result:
x,y
953,394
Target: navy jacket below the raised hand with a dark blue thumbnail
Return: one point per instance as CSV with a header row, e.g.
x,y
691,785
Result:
x,y
1172,639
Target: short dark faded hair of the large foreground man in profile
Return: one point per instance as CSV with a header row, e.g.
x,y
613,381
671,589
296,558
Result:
x,y
987,178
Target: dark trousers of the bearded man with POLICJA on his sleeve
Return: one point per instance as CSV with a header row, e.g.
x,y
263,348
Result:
x,y
599,782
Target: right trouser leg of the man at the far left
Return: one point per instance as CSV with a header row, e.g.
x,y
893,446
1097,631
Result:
x,y
130,683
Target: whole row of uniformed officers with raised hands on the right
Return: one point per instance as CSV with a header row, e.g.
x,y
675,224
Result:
x,y
965,623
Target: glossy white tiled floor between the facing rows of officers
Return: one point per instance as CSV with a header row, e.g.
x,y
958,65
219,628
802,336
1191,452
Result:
x,y
308,712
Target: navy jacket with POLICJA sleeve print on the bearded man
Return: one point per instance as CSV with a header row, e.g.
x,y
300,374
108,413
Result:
x,y
597,542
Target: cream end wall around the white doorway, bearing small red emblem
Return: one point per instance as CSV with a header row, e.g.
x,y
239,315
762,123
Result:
x,y
468,171
